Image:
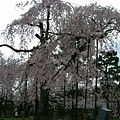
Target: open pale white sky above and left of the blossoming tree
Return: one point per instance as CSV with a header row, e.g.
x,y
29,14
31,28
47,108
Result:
x,y
8,12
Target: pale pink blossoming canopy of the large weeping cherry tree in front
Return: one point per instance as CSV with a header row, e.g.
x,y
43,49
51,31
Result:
x,y
69,39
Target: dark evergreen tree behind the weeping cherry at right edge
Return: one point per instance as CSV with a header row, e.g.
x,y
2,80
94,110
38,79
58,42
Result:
x,y
109,68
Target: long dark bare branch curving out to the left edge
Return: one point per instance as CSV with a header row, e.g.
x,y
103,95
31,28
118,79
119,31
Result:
x,y
20,50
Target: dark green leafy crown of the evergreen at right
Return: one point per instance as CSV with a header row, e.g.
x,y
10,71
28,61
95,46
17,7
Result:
x,y
108,65
